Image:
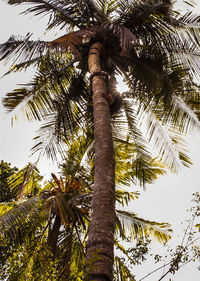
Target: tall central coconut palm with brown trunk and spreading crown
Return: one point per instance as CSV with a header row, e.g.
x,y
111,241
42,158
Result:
x,y
156,51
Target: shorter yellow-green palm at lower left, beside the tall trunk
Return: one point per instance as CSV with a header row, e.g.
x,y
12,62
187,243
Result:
x,y
44,227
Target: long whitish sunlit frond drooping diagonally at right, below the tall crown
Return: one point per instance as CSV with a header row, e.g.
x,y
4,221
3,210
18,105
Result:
x,y
176,120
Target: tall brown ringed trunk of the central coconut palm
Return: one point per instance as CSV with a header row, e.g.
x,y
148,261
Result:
x,y
100,244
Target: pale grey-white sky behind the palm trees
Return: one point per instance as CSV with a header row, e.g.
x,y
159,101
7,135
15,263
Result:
x,y
166,200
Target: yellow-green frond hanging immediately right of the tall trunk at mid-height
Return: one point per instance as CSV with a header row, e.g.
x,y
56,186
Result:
x,y
134,162
